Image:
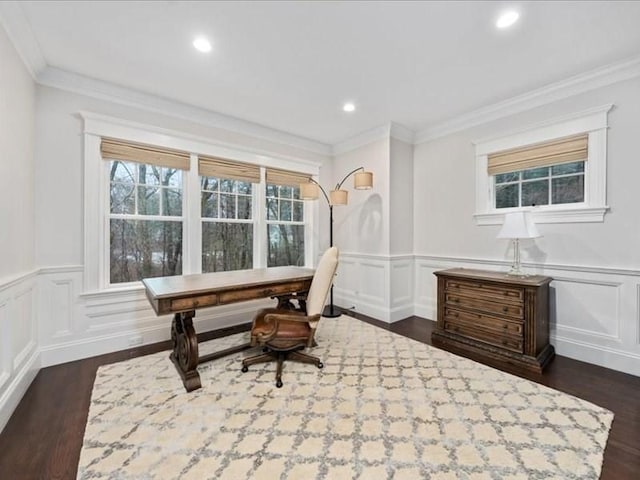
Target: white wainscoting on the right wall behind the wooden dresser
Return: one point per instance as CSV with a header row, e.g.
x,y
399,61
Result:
x,y
595,312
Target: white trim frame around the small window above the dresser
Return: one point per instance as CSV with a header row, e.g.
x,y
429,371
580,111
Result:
x,y
592,121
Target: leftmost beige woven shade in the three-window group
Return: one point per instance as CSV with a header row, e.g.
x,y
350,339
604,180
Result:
x,y
114,149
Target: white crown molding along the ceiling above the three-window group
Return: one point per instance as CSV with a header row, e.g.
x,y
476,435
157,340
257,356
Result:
x,y
80,84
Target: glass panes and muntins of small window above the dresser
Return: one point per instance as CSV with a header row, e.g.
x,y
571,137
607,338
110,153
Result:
x,y
552,185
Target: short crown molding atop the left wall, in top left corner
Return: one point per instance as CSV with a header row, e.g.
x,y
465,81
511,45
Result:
x,y
18,29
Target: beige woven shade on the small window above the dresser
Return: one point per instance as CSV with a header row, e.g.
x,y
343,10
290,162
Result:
x,y
565,150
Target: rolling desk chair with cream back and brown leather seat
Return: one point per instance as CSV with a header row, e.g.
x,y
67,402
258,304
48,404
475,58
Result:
x,y
283,333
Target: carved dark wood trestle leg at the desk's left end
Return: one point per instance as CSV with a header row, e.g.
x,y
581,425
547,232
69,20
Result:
x,y
185,349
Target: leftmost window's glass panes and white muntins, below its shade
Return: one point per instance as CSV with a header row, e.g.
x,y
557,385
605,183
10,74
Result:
x,y
145,221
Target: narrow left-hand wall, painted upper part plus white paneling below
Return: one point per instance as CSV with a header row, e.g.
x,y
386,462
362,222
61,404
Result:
x,y
19,359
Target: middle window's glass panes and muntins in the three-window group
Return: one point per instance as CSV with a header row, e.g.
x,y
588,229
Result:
x,y
227,224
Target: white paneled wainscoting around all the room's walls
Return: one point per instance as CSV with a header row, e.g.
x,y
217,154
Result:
x,y
46,319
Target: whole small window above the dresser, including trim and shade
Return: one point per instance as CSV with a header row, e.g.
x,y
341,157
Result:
x,y
558,170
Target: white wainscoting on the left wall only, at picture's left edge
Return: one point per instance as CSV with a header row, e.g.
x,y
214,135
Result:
x,y
19,354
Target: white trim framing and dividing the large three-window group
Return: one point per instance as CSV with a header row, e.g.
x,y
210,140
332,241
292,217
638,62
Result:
x,y
96,193
